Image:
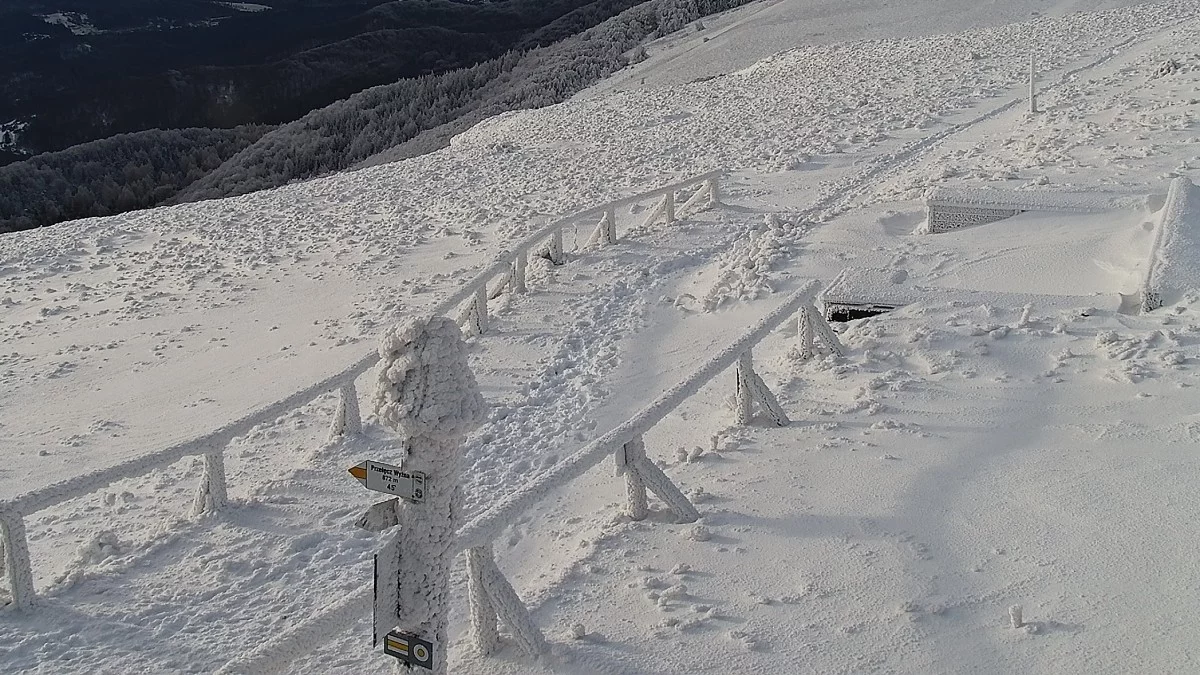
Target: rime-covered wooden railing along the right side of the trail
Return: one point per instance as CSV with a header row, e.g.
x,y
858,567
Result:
x,y
493,599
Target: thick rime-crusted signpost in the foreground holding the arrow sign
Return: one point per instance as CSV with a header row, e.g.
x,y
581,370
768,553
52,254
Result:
x,y
427,395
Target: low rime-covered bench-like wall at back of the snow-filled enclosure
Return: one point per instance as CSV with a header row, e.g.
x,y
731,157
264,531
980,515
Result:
x,y
951,208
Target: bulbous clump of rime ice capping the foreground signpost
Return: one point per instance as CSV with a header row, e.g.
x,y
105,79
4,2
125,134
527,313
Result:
x,y
424,385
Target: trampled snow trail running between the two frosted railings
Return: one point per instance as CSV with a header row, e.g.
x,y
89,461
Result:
x,y
291,525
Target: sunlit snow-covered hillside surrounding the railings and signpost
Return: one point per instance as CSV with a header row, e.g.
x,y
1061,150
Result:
x,y
1009,438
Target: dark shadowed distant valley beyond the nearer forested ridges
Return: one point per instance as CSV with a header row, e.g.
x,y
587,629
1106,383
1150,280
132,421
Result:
x,y
94,69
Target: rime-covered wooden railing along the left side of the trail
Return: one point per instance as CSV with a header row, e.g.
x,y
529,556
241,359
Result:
x,y
508,273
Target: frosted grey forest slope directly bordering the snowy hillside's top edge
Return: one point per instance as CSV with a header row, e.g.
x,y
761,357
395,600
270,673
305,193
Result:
x,y
421,116
